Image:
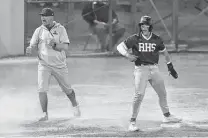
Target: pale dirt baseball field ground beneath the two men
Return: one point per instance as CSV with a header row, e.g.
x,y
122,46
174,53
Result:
x,y
104,88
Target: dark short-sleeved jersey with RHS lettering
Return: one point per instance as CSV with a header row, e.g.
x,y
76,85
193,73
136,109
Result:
x,y
147,49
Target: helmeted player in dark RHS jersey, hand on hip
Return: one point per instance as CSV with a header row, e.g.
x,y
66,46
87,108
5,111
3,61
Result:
x,y
145,47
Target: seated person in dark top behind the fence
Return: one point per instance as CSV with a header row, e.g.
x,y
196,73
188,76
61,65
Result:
x,y
96,14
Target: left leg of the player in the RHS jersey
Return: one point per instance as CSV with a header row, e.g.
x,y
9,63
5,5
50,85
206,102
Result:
x,y
141,76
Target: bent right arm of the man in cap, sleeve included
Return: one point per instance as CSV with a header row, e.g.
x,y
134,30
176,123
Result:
x,y
64,42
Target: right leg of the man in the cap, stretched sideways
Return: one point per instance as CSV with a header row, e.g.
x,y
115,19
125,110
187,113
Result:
x,y
61,76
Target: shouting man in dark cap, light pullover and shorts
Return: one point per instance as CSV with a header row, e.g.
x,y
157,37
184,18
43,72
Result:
x,y
51,41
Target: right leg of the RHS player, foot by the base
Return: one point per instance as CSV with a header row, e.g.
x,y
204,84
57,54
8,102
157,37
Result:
x,y
158,84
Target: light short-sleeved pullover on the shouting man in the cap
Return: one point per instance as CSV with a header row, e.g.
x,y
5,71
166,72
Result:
x,y
48,56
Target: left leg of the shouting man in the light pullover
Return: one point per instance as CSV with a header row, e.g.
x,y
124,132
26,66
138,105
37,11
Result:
x,y
44,76
